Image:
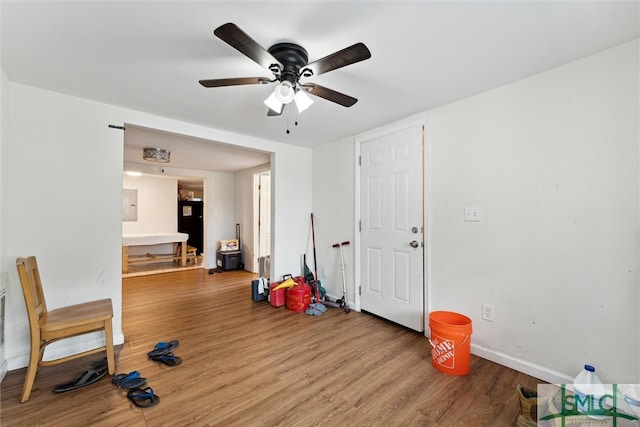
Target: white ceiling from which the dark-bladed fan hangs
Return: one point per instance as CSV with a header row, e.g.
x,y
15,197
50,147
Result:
x,y
149,55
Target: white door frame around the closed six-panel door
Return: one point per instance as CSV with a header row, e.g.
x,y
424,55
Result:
x,y
359,140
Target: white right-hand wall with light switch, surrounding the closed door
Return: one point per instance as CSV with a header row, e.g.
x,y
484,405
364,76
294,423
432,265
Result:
x,y
552,162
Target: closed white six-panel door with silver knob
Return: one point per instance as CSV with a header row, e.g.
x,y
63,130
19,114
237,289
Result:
x,y
391,241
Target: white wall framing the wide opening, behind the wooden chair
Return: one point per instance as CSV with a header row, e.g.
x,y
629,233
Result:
x,y
54,140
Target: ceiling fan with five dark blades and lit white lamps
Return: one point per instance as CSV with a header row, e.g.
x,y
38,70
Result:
x,y
289,63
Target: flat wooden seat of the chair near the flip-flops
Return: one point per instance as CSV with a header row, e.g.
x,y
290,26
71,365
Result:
x,y
79,315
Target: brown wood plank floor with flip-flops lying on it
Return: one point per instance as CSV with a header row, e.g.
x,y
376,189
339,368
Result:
x,y
249,364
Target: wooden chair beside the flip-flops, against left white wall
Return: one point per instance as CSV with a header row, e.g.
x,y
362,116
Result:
x,y
50,326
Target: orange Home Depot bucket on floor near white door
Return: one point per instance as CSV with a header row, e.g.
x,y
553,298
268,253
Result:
x,y
450,342
